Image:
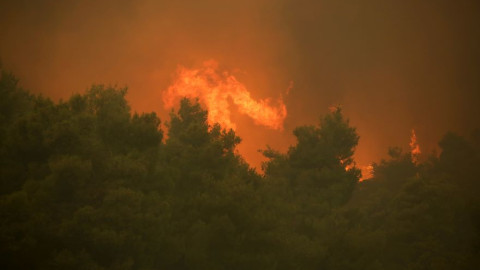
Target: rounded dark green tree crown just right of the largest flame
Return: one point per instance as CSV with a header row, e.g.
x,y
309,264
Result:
x,y
316,165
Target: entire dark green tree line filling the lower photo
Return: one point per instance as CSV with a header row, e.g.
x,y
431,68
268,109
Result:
x,y
86,184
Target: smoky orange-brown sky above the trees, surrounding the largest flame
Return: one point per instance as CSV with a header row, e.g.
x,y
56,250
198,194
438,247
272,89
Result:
x,y
391,65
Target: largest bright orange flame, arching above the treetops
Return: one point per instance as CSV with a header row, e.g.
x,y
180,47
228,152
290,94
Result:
x,y
213,88
